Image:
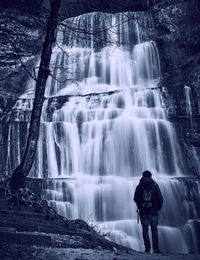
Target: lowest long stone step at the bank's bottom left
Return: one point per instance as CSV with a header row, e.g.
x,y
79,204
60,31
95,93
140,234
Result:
x,y
25,239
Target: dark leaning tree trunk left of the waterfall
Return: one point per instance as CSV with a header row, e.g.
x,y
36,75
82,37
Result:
x,y
23,169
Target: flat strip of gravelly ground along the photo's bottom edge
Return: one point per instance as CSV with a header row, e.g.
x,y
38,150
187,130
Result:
x,y
8,252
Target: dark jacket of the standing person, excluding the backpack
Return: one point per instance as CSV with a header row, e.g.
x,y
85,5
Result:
x,y
157,198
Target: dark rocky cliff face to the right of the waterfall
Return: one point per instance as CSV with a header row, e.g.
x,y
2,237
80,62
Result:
x,y
177,35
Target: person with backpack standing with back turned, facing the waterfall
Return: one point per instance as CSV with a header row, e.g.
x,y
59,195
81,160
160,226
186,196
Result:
x,y
149,201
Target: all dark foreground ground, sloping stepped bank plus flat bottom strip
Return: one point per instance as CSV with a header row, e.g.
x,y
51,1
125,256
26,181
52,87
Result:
x,y
29,229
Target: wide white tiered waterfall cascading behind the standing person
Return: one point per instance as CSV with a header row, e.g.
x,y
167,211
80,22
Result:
x,y
104,124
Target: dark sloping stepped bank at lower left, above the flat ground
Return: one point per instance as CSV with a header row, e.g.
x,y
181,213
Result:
x,y
25,219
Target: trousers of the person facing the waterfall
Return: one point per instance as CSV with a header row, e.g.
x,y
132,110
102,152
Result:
x,y
151,220
